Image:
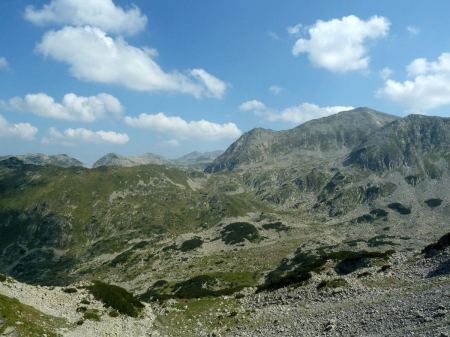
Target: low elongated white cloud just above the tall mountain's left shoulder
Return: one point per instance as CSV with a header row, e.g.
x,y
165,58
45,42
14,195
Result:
x,y
296,114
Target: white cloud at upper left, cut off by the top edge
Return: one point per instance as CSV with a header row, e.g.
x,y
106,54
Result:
x,y
99,13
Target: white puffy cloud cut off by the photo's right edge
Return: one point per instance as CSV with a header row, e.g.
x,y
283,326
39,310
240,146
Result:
x,y
429,89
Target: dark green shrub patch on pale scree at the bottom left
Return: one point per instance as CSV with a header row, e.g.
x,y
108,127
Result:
x,y
116,298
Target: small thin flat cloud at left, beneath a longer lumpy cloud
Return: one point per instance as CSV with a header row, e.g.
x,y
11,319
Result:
x,y
75,136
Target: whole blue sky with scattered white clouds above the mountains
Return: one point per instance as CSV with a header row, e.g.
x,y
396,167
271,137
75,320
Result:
x,y
86,78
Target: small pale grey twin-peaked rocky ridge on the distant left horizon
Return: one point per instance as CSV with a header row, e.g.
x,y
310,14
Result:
x,y
119,160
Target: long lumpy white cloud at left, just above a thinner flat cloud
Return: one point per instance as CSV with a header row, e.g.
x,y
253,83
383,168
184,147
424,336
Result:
x,y
72,108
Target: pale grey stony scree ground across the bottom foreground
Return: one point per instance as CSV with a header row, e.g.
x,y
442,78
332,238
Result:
x,y
408,296
